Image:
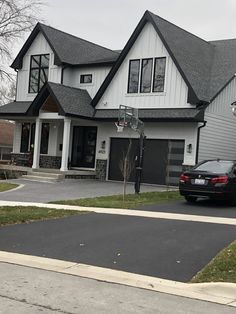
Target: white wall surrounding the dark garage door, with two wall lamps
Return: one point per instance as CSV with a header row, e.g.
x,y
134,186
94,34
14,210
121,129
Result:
x,y
174,131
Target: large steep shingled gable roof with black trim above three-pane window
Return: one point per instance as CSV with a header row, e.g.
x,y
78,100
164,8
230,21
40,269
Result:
x,y
205,66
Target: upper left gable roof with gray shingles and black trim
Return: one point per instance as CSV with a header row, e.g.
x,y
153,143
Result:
x,y
68,49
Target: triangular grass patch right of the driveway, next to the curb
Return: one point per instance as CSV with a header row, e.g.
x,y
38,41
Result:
x,y
222,268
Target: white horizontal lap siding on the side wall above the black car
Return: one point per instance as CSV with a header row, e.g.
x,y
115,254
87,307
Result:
x,y
218,137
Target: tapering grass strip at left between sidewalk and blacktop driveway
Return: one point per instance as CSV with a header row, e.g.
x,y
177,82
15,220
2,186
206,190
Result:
x,y
17,214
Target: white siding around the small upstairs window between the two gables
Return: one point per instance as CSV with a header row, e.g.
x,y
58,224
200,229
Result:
x,y
72,78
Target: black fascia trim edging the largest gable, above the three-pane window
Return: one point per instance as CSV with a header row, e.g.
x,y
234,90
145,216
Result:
x,y
192,97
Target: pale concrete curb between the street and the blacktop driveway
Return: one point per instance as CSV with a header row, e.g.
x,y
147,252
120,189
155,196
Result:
x,y
221,293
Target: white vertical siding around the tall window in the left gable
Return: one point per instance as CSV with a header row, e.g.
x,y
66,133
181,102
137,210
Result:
x,y
39,46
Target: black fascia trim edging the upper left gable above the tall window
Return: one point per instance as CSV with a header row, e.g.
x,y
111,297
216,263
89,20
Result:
x,y
17,63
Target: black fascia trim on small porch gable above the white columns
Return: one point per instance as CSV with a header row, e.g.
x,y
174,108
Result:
x,y
40,99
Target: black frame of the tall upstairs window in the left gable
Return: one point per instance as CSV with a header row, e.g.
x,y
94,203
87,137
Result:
x,y
40,68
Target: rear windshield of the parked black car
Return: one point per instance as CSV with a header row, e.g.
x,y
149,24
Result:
x,y
215,166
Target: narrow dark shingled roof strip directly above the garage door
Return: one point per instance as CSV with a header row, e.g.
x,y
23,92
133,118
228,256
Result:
x,y
178,114
